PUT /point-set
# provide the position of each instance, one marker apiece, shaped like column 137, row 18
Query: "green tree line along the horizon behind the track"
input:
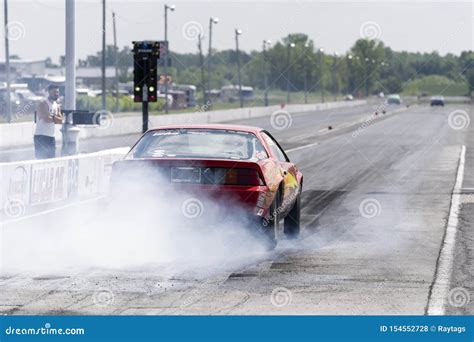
column 369, row 67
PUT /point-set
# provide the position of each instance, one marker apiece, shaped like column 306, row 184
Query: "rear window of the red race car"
column 199, row 143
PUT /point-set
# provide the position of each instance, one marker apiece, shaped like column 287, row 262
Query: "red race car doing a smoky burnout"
column 228, row 163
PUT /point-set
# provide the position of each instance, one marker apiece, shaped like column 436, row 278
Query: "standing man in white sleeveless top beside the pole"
column 48, row 114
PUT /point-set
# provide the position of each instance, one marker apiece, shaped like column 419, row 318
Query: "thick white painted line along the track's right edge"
column 441, row 285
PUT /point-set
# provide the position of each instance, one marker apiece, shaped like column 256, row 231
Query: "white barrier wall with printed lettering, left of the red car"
column 30, row 186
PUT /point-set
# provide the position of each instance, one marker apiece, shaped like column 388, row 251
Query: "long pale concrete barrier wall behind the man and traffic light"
column 21, row 134
